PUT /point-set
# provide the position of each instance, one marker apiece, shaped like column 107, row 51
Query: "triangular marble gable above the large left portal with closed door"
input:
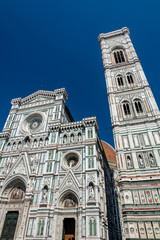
column 20, row 167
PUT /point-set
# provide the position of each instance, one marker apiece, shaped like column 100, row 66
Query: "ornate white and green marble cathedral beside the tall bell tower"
column 53, row 173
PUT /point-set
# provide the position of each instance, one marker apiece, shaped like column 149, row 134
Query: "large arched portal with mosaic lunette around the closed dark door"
column 13, row 201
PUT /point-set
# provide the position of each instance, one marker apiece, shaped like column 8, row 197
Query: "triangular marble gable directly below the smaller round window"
column 69, row 182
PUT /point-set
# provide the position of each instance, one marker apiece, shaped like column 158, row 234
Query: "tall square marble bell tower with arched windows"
column 136, row 128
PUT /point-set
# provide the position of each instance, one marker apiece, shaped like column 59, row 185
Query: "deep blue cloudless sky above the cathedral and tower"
column 52, row 44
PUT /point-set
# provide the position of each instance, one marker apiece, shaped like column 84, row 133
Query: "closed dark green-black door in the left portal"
column 9, row 226
